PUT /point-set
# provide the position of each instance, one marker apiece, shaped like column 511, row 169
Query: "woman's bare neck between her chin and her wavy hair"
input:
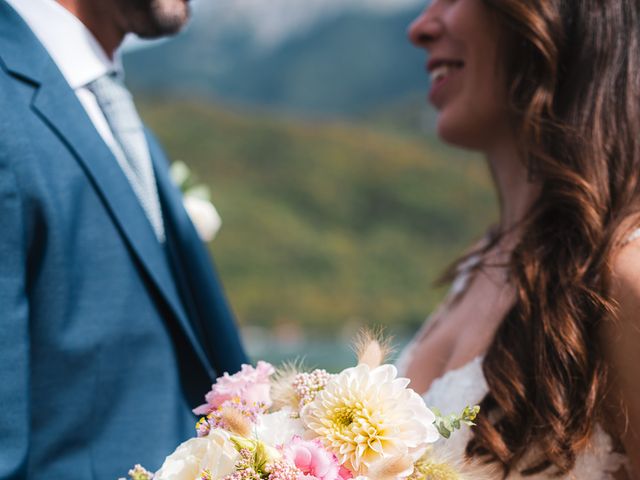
column 516, row 190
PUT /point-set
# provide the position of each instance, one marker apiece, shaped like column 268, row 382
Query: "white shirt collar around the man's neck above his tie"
column 69, row 42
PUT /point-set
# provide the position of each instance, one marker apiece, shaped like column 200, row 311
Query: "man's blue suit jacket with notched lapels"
column 107, row 338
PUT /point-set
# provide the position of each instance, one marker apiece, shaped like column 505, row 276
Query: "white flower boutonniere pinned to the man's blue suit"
column 197, row 202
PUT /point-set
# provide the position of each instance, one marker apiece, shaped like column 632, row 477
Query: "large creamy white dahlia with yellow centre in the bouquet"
column 367, row 416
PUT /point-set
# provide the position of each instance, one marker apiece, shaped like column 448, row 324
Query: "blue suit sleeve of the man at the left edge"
column 14, row 332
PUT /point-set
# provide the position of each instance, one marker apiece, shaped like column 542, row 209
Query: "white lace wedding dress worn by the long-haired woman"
column 466, row 385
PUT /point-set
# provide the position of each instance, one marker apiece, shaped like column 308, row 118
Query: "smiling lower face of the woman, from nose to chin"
column 463, row 39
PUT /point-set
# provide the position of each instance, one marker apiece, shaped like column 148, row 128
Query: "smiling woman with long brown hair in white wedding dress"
column 542, row 324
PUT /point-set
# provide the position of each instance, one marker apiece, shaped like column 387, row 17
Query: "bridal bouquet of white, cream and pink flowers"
column 289, row 424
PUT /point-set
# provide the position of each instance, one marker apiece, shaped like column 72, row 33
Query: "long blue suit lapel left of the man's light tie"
column 59, row 108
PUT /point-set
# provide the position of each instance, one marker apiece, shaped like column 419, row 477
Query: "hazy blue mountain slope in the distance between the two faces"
column 342, row 66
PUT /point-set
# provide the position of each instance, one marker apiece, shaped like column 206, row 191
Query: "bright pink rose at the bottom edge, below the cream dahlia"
column 310, row 457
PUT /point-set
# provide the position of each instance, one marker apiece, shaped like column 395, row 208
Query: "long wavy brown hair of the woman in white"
column 573, row 69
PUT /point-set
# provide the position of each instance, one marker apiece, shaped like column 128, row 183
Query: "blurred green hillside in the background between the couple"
column 328, row 224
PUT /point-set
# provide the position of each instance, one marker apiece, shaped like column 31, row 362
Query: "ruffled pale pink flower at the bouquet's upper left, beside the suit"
column 250, row 385
